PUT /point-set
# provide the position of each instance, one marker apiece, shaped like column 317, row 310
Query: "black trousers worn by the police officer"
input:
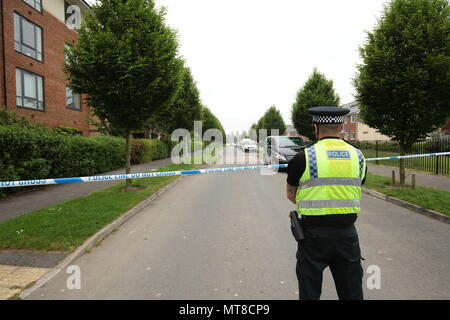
column 337, row 248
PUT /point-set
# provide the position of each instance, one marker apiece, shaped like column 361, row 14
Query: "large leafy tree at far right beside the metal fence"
column 403, row 83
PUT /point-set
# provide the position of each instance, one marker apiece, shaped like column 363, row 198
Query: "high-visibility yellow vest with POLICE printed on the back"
column 331, row 182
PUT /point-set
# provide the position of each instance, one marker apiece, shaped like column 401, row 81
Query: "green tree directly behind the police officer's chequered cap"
column 317, row 91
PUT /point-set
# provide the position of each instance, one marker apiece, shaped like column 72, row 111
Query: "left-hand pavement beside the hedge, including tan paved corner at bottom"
column 19, row 268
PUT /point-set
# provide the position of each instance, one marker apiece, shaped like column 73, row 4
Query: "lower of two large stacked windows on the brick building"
column 29, row 90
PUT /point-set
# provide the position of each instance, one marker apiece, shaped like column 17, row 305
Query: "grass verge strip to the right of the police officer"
column 426, row 197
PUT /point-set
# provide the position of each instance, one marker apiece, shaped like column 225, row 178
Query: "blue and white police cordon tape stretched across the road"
column 41, row 182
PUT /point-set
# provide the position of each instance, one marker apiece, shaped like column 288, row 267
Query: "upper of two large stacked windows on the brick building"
column 27, row 37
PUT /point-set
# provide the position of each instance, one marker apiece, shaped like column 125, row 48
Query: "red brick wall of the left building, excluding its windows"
column 55, row 34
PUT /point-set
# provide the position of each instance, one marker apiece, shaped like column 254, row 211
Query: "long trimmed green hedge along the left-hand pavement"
column 28, row 153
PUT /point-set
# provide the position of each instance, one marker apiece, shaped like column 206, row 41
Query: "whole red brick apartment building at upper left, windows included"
column 33, row 34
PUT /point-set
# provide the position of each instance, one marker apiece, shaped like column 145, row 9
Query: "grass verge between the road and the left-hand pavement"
column 65, row 226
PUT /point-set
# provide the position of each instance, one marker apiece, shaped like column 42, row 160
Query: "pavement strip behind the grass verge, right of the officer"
column 430, row 180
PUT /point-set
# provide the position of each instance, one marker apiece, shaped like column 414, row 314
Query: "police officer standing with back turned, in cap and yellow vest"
column 324, row 181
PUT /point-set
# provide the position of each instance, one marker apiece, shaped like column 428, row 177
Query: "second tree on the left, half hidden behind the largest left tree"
column 185, row 109
